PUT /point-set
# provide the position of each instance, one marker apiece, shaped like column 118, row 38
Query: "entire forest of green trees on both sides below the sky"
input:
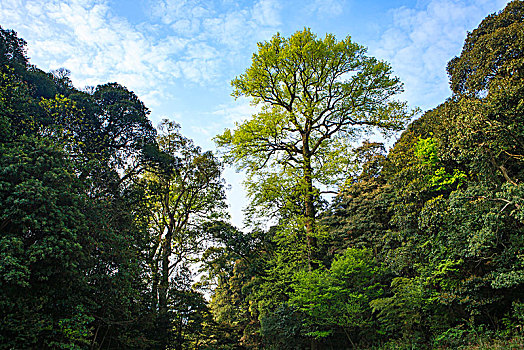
column 115, row 234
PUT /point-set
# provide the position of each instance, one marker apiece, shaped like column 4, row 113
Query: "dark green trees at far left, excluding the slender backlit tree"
column 70, row 266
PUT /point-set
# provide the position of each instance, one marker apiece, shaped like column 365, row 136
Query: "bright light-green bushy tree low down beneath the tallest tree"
column 338, row 298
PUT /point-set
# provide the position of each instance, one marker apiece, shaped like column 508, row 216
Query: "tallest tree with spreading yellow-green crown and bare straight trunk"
column 316, row 96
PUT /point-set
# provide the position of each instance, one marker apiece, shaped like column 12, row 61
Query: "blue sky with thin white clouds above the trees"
column 179, row 56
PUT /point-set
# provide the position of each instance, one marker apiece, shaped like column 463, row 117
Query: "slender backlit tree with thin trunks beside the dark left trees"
column 185, row 192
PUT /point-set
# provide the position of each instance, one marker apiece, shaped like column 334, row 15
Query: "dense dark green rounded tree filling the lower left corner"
column 43, row 227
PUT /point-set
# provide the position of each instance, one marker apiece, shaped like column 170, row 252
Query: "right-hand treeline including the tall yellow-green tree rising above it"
column 423, row 247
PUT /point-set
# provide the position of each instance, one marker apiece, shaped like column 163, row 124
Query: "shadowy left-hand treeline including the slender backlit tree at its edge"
column 101, row 215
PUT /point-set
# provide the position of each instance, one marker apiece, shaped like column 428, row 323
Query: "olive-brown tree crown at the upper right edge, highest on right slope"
column 487, row 79
